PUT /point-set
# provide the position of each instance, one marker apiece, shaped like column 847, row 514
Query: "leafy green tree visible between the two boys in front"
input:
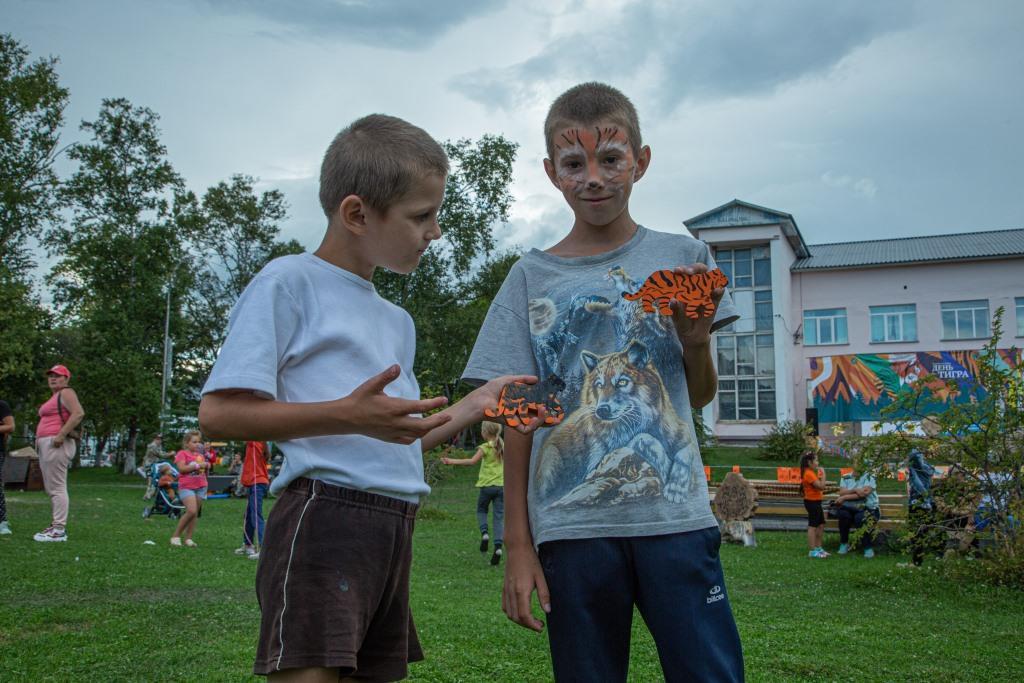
column 449, row 294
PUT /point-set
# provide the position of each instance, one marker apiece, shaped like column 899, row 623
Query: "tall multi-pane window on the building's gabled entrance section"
column 747, row 349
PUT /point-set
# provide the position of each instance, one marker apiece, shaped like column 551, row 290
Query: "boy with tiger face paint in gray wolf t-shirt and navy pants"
column 610, row 509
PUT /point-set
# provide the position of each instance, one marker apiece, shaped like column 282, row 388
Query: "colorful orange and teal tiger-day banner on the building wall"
column 859, row 387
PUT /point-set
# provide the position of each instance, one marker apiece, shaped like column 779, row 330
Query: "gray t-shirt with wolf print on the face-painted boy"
column 625, row 460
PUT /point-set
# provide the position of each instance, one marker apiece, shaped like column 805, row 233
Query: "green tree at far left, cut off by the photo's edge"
column 32, row 105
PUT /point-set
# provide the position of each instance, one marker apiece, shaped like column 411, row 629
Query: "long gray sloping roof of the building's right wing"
column 959, row 247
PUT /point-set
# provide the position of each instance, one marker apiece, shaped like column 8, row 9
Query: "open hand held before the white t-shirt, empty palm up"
column 390, row 419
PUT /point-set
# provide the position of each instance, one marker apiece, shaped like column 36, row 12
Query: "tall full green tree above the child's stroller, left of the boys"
column 116, row 259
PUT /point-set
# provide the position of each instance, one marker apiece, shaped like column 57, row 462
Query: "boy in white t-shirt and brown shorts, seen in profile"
column 319, row 363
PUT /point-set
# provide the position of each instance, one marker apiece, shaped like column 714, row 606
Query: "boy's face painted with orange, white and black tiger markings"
column 594, row 168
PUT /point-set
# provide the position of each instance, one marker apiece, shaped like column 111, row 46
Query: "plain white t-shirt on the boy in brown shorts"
column 307, row 331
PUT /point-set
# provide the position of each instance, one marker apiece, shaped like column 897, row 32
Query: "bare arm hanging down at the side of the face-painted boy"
column 523, row 572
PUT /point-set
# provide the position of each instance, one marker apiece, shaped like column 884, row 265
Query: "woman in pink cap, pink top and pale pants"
column 58, row 417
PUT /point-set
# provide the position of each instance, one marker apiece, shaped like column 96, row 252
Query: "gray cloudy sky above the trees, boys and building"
column 864, row 119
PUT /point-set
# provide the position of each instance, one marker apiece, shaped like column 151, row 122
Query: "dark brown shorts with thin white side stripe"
column 333, row 584
